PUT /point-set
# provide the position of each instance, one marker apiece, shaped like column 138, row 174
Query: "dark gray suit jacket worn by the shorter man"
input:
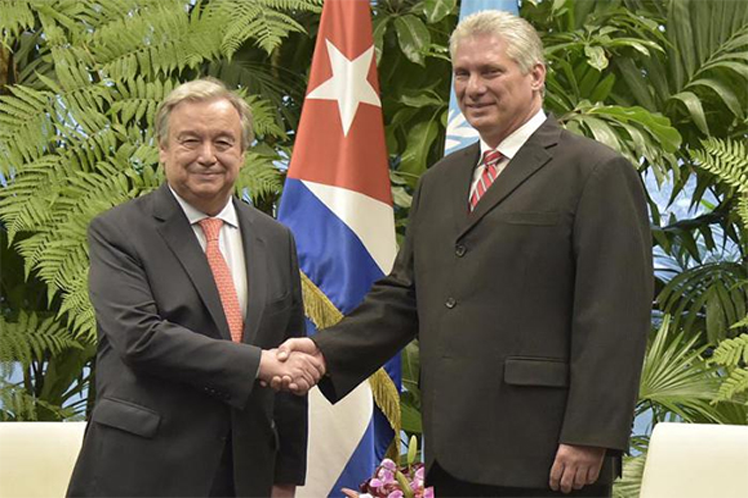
column 170, row 384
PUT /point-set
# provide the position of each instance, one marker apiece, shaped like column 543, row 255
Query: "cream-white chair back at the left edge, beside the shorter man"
column 37, row 458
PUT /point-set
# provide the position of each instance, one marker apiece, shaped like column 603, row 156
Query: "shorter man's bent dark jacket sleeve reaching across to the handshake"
column 128, row 321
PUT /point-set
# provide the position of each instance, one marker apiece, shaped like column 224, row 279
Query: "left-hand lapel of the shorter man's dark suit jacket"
column 180, row 237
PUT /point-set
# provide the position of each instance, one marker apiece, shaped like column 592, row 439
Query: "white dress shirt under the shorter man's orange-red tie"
column 229, row 242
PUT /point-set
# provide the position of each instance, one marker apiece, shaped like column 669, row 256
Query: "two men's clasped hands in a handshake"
column 296, row 366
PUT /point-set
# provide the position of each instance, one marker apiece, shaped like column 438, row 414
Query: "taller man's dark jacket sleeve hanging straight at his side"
column 612, row 304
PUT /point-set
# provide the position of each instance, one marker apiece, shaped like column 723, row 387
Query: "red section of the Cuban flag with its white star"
column 340, row 138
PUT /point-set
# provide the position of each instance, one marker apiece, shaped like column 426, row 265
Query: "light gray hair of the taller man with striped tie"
column 523, row 43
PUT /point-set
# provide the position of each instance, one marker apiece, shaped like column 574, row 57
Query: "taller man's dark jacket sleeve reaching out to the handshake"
column 385, row 322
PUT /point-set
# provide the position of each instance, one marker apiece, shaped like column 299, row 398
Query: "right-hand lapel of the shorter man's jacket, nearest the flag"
column 255, row 253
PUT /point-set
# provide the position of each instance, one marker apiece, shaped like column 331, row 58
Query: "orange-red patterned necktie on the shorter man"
column 222, row 275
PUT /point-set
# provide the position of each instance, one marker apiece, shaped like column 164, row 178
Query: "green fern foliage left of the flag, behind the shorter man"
column 82, row 80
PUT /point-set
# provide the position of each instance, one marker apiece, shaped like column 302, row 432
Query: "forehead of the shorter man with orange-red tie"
column 212, row 115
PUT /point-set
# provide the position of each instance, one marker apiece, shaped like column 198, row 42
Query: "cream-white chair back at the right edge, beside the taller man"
column 696, row 461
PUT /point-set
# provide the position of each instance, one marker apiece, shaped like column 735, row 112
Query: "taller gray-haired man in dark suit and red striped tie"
column 530, row 295
